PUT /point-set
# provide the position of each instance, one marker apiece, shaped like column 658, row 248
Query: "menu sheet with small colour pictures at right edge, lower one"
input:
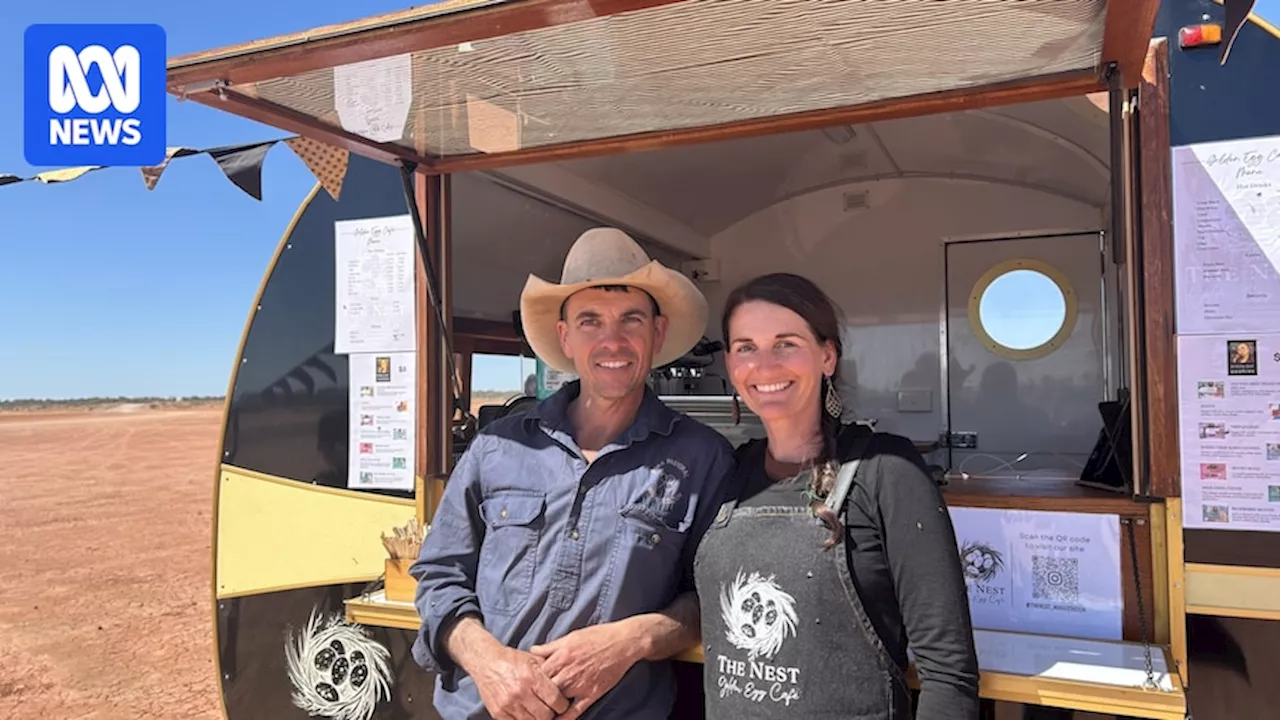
column 1229, row 413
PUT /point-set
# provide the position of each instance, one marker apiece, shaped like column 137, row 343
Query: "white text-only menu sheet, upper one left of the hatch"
column 374, row 274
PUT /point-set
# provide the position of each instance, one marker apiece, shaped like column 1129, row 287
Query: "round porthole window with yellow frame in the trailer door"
column 1023, row 309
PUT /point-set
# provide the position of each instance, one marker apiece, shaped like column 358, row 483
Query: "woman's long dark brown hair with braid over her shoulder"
column 806, row 299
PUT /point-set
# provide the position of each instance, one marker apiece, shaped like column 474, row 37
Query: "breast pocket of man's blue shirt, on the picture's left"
column 509, row 557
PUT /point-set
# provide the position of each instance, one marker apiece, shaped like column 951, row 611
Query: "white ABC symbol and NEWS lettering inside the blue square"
column 68, row 90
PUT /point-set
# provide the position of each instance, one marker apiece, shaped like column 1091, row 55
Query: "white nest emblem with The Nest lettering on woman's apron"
column 760, row 618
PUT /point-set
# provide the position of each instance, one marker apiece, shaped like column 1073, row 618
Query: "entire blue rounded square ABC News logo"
column 95, row 95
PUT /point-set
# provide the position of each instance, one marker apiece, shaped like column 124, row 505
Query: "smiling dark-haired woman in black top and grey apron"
column 808, row 609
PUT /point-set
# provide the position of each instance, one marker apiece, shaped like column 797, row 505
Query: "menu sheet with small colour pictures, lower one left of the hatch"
column 381, row 450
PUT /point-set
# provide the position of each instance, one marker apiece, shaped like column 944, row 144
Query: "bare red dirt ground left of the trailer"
column 106, row 564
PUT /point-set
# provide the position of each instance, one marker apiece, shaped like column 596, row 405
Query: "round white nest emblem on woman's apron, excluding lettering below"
column 758, row 616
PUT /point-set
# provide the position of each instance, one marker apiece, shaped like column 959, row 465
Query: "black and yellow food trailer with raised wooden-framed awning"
column 1052, row 227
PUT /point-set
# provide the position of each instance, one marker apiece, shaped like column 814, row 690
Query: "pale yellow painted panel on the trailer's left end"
column 281, row 535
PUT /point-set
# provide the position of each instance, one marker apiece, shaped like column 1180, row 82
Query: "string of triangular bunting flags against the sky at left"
column 243, row 165
